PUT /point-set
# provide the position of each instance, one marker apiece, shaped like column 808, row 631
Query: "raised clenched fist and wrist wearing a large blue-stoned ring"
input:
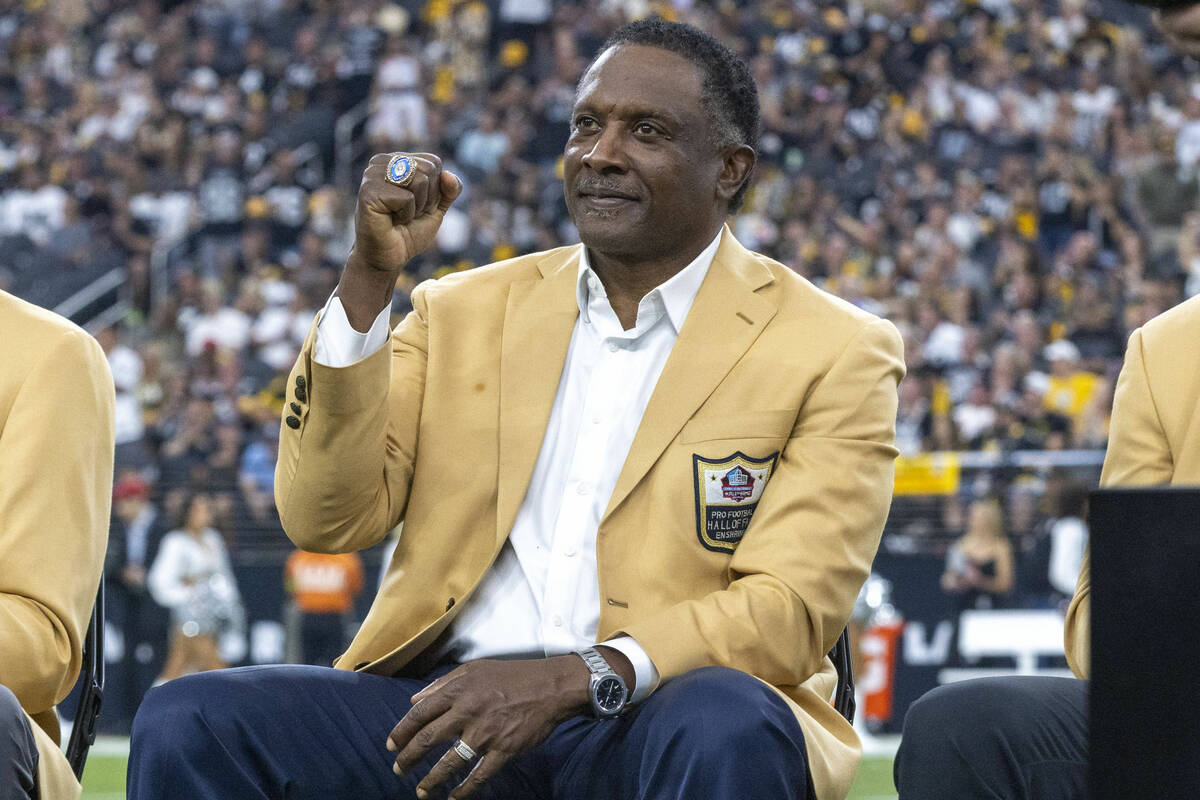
column 393, row 225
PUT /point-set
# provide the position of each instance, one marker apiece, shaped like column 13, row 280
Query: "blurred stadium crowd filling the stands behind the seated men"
column 1013, row 183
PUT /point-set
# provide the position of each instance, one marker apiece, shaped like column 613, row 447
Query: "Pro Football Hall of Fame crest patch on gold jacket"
column 728, row 494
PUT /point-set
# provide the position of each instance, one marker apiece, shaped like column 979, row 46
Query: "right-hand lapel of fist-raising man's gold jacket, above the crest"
column 724, row 322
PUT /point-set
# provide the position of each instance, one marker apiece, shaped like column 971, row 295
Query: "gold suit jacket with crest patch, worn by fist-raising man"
column 443, row 429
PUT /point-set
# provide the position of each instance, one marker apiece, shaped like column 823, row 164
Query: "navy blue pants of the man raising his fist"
column 310, row 732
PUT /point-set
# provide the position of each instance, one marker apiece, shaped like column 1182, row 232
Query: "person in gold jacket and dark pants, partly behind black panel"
column 1028, row 737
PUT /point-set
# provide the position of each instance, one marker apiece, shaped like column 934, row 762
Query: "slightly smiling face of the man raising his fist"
column 645, row 178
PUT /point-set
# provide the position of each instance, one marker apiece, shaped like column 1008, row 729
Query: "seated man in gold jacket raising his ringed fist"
column 641, row 480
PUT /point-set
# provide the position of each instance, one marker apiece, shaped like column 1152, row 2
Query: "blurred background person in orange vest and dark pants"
column 323, row 588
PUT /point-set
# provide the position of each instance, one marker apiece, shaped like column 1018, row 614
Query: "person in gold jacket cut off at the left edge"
column 57, row 431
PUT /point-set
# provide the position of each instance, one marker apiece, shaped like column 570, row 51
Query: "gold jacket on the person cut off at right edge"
column 1154, row 438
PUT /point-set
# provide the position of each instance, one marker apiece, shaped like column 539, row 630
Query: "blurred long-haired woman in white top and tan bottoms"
column 193, row 578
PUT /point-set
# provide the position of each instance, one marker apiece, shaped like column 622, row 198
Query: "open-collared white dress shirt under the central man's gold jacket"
column 542, row 596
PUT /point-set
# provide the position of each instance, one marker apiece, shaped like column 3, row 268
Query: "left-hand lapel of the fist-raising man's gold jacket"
column 539, row 321
